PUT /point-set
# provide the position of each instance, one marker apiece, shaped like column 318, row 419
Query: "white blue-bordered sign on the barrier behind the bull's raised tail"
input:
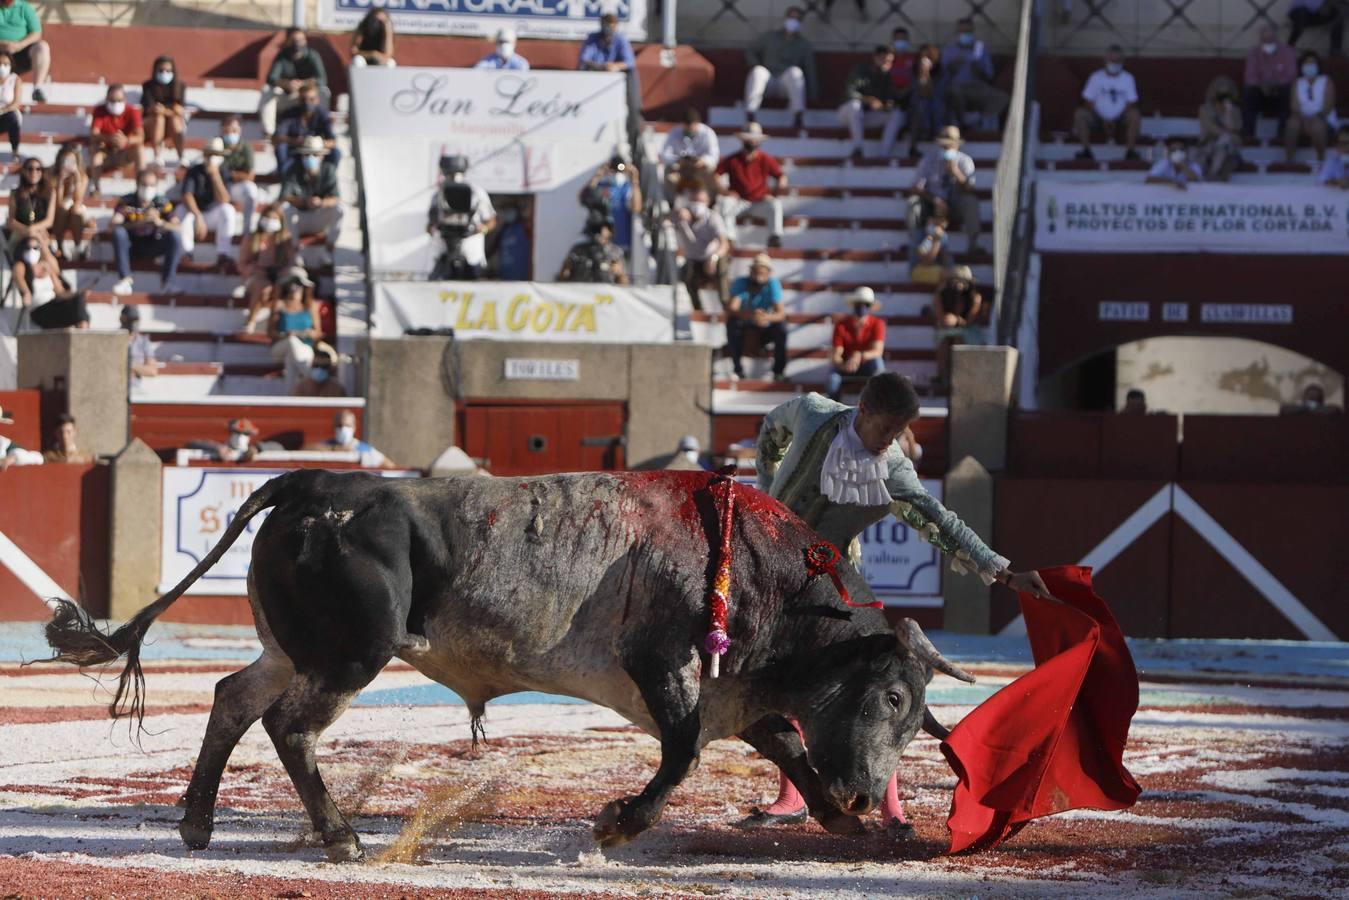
column 199, row 505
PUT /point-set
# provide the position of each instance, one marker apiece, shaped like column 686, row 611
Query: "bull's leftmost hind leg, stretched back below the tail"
column 241, row 700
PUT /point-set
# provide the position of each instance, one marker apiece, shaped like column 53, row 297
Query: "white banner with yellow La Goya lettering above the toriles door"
column 527, row 311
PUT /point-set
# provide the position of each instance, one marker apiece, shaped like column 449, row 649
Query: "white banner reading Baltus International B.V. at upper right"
column 1228, row 219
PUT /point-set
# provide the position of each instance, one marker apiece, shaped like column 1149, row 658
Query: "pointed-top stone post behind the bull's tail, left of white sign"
column 136, row 519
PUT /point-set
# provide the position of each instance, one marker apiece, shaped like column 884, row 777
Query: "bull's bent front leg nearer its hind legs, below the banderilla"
column 671, row 694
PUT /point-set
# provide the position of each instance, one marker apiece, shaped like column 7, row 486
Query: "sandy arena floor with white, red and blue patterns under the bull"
column 1243, row 752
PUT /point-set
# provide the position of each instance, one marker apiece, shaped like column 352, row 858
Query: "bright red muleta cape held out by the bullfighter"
column 1054, row 739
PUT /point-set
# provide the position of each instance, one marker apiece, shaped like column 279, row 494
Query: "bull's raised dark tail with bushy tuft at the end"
column 76, row 639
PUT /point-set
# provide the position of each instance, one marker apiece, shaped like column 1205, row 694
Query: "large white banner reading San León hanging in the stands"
column 524, row 133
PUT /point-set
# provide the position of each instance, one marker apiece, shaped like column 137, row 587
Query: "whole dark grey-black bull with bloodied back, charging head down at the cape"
column 592, row 586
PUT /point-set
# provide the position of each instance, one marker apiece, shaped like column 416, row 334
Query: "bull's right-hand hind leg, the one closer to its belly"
column 295, row 723
